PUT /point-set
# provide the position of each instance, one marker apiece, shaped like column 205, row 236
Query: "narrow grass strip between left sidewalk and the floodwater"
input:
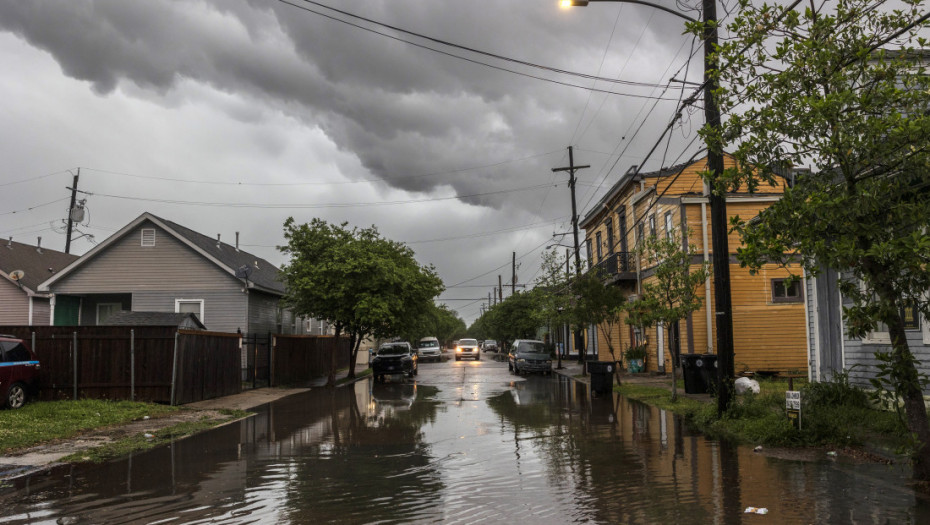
column 143, row 442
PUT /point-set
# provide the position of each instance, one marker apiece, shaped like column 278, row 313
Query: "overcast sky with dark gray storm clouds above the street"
column 231, row 115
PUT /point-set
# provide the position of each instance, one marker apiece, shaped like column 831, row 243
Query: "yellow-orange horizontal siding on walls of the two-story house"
column 768, row 336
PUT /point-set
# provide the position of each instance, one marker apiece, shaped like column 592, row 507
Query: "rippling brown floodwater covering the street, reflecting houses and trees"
column 465, row 443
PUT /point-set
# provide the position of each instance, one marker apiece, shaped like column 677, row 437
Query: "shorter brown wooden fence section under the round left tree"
column 297, row 359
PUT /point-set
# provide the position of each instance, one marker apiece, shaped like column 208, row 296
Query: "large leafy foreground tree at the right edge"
column 820, row 87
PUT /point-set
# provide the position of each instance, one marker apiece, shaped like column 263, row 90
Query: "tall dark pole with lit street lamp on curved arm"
column 718, row 203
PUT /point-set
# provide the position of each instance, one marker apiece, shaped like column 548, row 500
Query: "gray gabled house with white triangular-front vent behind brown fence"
column 155, row 265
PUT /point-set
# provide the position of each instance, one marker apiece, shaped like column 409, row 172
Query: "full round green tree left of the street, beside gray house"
column 364, row 284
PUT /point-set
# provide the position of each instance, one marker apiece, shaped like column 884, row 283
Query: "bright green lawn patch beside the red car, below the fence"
column 48, row 420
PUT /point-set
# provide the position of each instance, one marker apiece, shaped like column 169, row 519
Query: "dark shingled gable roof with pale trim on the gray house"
column 263, row 276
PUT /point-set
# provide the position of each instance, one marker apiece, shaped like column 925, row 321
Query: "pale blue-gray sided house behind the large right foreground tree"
column 831, row 350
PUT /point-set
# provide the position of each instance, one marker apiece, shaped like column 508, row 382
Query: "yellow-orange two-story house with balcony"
column 769, row 317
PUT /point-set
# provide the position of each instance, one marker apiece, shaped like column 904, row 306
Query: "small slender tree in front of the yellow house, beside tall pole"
column 671, row 295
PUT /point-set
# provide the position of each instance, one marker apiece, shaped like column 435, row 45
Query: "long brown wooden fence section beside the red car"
column 146, row 363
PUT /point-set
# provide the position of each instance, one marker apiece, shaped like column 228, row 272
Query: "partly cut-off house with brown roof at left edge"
column 22, row 268
